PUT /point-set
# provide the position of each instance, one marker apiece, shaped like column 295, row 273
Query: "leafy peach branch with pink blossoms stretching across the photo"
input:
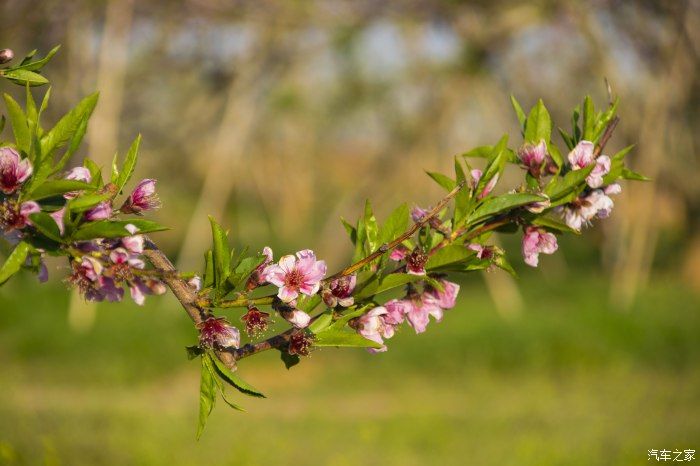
column 401, row 271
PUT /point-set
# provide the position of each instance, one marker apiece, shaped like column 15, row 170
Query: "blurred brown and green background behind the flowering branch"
column 278, row 117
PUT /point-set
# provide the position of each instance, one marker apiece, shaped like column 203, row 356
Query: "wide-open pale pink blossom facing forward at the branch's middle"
column 294, row 275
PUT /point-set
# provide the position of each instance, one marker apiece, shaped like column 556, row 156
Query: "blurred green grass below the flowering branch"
column 569, row 382
